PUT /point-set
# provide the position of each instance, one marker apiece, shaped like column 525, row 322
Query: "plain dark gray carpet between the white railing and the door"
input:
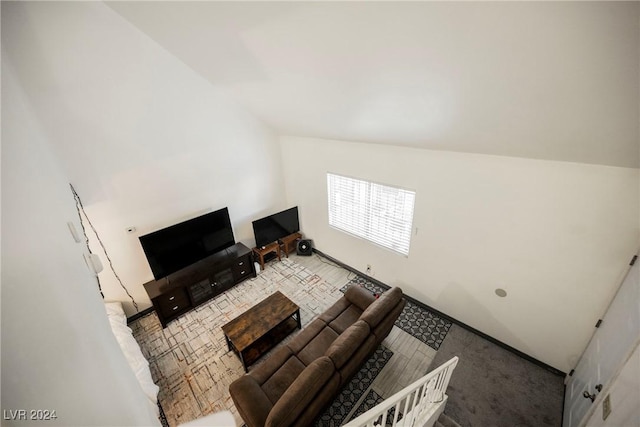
column 494, row 387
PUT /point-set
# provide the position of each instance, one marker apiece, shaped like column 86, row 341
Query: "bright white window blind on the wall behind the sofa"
column 375, row 212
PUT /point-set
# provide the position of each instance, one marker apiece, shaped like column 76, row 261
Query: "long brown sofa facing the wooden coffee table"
column 299, row 379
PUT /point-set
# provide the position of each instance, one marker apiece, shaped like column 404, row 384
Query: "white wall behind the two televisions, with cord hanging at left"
column 145, row 140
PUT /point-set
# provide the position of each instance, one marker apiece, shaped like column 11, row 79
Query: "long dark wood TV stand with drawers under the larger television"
column 185, row 289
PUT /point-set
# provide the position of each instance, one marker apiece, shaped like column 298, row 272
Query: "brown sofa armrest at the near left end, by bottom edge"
column 250, row 400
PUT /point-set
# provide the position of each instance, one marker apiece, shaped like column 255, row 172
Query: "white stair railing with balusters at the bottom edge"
column 418, row 404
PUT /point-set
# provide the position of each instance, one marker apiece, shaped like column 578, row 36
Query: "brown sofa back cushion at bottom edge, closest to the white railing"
column 301, row 393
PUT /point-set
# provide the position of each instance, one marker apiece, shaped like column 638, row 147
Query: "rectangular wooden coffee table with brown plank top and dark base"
column 260, row 328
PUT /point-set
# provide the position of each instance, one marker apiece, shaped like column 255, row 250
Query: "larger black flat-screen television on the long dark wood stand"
column 180, row 245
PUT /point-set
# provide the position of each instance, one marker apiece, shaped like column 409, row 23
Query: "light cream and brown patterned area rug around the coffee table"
column 189, row 359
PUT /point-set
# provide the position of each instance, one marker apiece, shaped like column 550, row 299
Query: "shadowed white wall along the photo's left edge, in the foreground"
column 58, row 352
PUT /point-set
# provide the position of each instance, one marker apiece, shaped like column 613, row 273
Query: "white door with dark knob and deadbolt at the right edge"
column 610, row 346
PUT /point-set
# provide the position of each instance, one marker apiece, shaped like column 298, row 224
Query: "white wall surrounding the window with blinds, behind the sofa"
column 555, row 235
